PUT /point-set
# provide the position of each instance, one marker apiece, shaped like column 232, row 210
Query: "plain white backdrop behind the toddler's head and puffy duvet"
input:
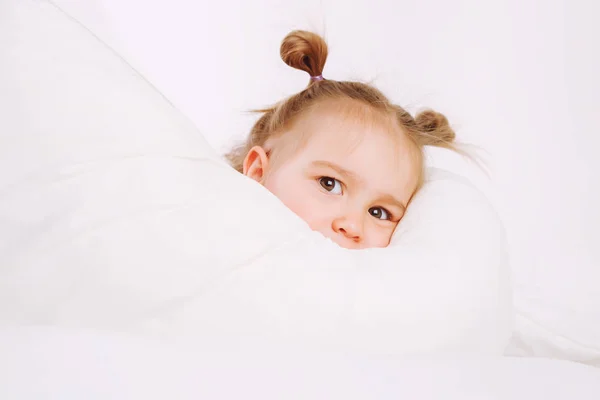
column 518, row 78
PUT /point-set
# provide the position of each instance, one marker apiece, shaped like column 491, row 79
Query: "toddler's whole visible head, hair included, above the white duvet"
column 340, row 154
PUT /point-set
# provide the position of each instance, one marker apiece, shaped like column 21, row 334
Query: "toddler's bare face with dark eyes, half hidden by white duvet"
column 350, row 181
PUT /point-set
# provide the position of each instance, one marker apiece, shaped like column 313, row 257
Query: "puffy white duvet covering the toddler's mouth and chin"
column 115, row 214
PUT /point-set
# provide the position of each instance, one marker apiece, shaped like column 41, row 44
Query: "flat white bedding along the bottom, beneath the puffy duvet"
column 42, row 363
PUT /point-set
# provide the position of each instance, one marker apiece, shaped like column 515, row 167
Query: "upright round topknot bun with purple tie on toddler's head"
column 305, row 51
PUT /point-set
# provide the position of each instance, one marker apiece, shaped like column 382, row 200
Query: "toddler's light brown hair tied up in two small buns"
column 307, row 51
